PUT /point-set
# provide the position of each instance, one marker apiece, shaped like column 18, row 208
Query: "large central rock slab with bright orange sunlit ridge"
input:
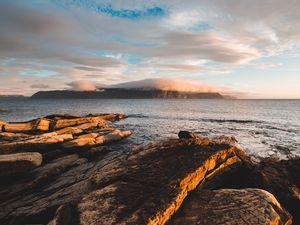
column 150, row 187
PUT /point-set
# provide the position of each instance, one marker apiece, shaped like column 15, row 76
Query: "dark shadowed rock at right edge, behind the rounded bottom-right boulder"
column 279, row 177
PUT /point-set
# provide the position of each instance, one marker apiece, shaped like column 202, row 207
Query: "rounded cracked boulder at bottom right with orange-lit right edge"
column 232, row 206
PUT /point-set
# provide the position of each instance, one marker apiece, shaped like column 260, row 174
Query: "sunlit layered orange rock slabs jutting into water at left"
column 59, row 131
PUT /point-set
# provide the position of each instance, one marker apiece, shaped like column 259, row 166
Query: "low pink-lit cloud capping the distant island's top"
column 168, row 84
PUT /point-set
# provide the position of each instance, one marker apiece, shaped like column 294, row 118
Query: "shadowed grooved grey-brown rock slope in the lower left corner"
column 34, row 198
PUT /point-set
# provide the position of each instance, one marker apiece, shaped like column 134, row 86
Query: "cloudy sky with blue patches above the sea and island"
column 246, row 48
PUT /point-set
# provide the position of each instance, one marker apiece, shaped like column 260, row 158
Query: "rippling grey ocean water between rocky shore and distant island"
column 262, row 127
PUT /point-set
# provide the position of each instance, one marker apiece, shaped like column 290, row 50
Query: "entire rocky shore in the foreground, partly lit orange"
column 66, row 169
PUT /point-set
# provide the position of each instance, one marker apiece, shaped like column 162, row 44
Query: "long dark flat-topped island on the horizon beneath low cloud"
column 121, row 93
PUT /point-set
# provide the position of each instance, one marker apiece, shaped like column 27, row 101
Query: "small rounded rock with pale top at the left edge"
column 19, row 162
